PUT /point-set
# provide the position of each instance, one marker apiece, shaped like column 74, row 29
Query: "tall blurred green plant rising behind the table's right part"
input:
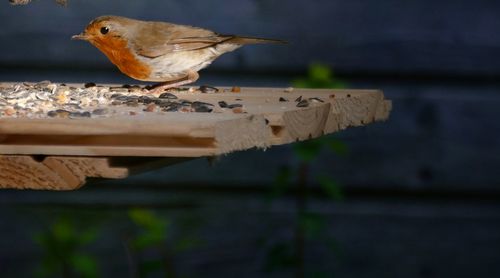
column 309, row 226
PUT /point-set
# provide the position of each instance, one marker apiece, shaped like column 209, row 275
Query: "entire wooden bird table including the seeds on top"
column 55, row 136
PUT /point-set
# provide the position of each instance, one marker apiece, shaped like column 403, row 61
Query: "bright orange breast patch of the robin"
column 117, row 51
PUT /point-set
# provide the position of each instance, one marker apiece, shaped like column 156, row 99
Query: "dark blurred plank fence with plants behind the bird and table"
column 416, row 196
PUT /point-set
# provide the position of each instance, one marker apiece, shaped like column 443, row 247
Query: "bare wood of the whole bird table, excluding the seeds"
column 54, row 153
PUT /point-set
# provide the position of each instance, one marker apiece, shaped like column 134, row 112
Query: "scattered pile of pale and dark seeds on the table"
column 46, row 99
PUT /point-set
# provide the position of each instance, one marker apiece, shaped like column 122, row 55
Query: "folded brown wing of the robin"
column 159, row 38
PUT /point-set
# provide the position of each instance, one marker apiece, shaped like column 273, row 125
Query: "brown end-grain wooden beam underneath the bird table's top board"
column 69, row 173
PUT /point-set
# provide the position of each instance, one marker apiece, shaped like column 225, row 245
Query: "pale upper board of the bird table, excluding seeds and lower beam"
column 267, row 121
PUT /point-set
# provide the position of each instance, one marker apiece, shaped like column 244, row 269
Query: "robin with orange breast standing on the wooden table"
column 167, row 53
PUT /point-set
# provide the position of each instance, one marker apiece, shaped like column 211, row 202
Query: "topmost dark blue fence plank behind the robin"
column 371, row 36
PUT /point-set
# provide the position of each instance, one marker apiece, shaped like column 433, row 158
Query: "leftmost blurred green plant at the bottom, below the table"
column 63, row 246
